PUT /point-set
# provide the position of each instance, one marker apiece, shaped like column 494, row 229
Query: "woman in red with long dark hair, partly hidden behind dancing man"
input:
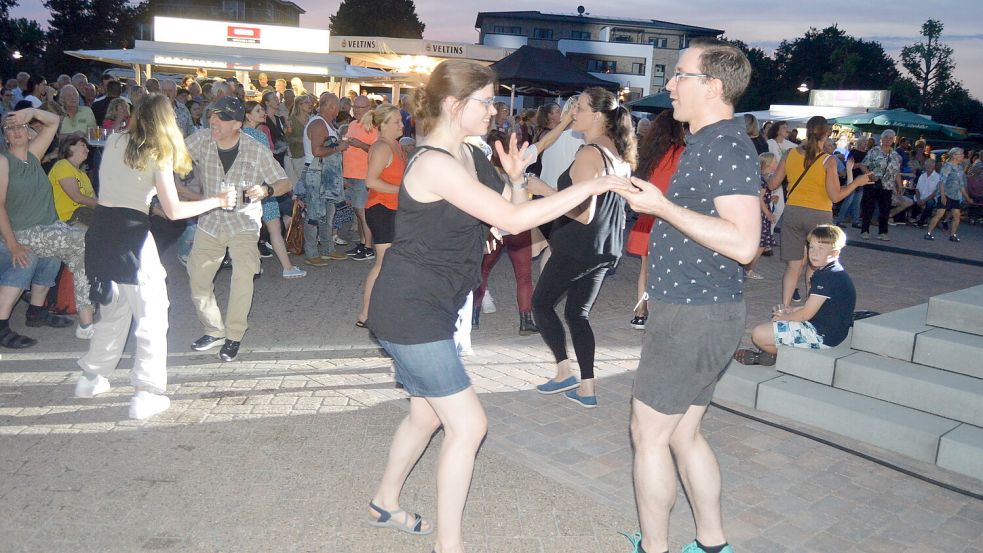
column 658, row 156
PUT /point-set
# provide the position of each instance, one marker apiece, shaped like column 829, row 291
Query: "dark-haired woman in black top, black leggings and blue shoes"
column 586, row 242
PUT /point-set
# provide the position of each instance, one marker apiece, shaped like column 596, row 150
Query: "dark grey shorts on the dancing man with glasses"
column 685, row 351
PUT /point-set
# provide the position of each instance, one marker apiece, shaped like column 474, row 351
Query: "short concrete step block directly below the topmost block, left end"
column 891, row 334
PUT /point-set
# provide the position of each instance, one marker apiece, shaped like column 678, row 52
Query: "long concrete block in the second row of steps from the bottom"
column 951, row 395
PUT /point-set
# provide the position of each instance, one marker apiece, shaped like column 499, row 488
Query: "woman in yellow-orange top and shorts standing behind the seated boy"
column 809, row 200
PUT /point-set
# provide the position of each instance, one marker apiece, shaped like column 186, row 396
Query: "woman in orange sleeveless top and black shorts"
column 385, row 173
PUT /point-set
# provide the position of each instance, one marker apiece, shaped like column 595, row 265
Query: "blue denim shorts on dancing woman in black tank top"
column 432, row 369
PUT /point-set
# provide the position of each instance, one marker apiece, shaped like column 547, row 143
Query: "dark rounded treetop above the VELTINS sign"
column 392, row 18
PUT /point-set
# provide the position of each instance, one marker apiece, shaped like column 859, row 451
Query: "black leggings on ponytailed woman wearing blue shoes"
column 581, row 284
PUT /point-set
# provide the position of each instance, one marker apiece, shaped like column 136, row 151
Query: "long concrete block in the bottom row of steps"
column 882, row 424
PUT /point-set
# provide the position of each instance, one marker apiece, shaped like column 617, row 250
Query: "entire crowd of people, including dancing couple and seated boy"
column 435, row 186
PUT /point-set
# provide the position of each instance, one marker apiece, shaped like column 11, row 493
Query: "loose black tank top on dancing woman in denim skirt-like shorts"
column 434, row 261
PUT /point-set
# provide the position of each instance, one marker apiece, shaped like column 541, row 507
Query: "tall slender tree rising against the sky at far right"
column 930, row 64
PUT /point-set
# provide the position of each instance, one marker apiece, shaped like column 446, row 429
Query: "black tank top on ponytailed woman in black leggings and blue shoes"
column 600, row 241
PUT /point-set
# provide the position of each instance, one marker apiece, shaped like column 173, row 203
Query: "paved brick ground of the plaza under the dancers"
column 281, row 450
